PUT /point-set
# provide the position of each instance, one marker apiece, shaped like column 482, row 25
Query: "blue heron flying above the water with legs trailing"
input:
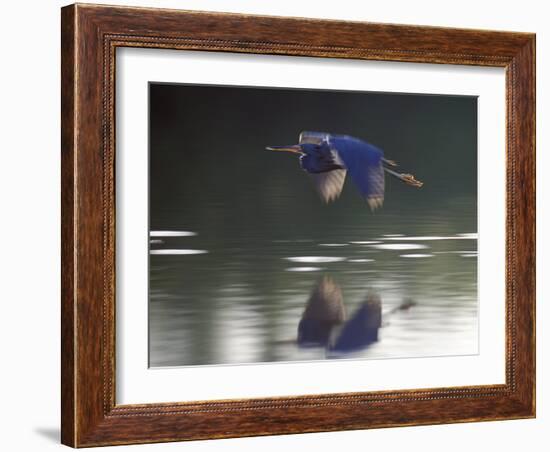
column 329, row 157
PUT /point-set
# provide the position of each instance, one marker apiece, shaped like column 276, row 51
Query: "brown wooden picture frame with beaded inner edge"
column 90, row 36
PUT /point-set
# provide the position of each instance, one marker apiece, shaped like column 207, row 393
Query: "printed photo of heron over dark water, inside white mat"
column 302, row 225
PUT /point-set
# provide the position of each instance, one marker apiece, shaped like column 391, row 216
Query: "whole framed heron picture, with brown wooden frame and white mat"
column 281, row 225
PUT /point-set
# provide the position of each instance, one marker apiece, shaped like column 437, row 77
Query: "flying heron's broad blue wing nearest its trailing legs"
column 364, row 163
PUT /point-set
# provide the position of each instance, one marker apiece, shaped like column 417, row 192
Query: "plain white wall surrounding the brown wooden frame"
column 29, row 258
